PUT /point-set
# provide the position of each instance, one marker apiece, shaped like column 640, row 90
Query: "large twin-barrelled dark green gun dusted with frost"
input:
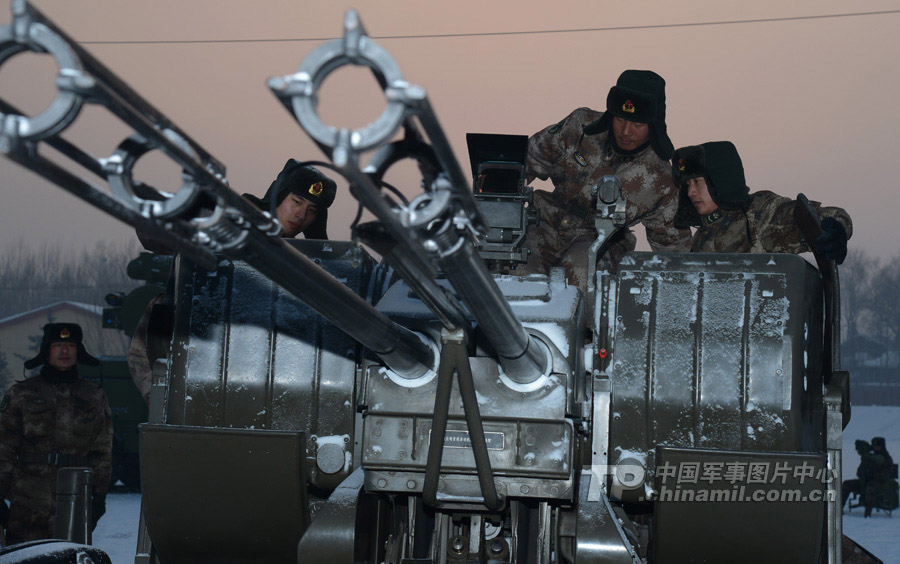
column 497, row 420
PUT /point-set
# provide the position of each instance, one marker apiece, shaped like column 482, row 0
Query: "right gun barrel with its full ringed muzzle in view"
column 434, row 223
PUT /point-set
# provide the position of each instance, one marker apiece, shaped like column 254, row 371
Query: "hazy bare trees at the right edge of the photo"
column 870, row 297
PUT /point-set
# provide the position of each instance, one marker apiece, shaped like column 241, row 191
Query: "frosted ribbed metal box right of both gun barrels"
column 715, row 351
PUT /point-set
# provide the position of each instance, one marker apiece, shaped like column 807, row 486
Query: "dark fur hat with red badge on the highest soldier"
column 638, row 96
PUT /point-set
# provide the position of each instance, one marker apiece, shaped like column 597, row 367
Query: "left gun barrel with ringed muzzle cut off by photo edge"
column 202, row 218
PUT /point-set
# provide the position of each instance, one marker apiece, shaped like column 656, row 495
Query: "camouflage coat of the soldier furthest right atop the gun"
column 767, row 226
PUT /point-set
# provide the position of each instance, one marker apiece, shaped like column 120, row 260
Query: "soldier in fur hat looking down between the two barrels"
column 300, row 197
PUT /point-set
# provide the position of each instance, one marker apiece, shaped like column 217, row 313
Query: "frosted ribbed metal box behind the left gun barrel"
column 246, row 354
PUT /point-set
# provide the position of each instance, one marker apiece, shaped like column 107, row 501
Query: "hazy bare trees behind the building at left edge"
column 32, row 276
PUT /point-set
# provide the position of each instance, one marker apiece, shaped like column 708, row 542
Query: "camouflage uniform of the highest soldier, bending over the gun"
column 574, row 162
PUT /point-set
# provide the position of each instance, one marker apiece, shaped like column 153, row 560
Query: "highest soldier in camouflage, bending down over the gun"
column 628, row 141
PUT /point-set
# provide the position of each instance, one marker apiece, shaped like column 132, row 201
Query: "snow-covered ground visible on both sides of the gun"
column 117, row 531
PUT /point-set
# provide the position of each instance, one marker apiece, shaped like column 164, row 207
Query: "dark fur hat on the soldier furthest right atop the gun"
column 719, row 163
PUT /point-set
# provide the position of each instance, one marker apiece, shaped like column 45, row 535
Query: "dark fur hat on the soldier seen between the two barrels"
column 309, row 184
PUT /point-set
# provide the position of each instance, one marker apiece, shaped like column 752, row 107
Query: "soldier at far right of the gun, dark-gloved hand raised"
column 714, row 197
